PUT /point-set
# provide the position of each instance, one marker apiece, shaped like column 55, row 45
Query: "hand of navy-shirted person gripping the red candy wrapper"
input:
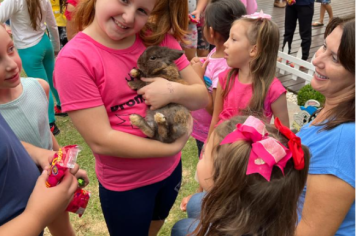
column 46, row 203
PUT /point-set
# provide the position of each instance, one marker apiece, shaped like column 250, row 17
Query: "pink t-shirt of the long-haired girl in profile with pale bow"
column 240, row 95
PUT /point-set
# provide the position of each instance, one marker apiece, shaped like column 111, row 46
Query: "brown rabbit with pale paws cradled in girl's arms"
column 170, row 122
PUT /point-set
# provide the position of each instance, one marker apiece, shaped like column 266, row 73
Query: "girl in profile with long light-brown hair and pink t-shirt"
column 250, row 86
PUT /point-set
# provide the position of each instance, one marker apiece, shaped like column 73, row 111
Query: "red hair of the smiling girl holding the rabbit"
column 166, row 16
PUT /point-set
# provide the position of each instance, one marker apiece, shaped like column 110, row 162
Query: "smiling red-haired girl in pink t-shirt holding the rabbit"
column 139, row 178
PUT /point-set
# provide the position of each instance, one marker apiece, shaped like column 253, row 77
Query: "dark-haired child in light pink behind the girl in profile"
column 219, row 15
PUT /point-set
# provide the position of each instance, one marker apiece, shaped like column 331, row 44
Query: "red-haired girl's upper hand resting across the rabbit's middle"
column 158, row 93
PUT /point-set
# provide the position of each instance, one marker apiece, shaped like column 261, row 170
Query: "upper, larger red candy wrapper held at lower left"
column 64, row 159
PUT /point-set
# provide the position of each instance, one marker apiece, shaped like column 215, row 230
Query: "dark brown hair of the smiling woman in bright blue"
column 345, row 111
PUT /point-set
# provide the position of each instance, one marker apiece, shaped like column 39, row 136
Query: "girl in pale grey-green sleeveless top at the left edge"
column 24, row 106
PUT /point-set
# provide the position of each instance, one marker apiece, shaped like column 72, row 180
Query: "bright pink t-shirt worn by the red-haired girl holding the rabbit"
column 88, row 74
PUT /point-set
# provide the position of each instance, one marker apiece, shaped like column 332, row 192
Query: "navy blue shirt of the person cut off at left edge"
column 18, row 174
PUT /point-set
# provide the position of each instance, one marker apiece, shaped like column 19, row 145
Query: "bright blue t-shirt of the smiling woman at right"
column 332, row 153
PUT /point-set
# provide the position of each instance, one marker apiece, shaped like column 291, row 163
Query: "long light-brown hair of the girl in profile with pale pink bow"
column 265, row 35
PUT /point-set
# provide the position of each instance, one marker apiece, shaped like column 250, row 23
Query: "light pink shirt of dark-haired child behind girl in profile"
column 202, row 118
